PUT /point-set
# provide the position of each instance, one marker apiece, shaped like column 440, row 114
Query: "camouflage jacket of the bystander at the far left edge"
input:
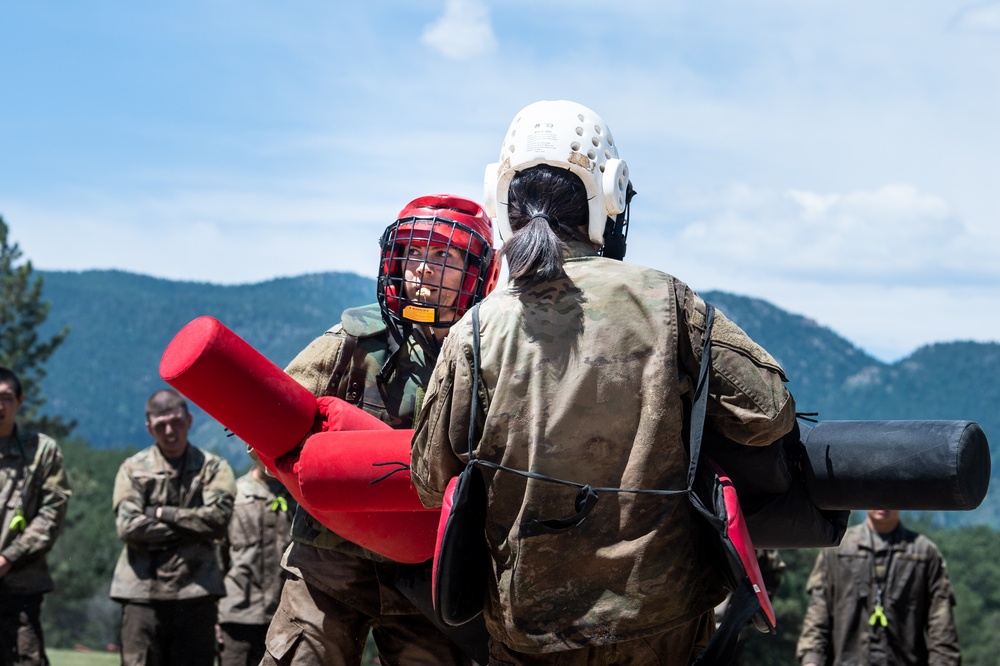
column 33, row 484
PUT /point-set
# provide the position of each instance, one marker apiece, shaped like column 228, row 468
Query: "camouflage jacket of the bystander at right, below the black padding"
column 917, row 601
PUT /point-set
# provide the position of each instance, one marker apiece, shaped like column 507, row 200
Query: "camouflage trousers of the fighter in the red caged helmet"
column 315, row 627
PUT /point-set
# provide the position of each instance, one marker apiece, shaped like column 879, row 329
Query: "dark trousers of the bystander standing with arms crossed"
column 169, row 633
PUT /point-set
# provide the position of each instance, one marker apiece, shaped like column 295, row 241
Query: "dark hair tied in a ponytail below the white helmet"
column 547, row 207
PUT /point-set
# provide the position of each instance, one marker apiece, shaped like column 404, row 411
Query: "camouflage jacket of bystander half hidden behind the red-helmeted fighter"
column 259, row 532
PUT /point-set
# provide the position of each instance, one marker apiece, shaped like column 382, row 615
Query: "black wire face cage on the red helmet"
column 447, row 276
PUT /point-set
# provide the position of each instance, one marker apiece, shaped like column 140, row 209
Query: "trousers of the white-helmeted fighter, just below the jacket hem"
column 676, row 647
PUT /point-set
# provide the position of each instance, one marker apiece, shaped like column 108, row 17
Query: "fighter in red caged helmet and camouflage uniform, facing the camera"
column 437, row 260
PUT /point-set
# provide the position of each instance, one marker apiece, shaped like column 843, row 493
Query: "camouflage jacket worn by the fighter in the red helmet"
column 345, row 362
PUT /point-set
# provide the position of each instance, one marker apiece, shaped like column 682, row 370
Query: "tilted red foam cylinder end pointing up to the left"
column 238, row 387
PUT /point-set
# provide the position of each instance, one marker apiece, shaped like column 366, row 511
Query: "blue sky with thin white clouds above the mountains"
column 840, row 159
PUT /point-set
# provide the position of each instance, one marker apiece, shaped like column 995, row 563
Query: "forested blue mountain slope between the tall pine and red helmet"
column 121, row 323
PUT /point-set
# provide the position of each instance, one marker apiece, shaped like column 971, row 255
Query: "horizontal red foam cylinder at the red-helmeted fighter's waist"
column 340, row 471
